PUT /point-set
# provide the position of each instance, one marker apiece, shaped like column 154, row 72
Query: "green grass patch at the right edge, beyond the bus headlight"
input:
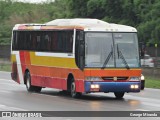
column 152, row 82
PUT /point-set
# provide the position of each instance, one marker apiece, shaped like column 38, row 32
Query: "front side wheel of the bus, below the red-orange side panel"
column 74, row 94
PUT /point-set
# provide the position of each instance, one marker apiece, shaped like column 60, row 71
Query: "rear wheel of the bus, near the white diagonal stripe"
column 29, row 87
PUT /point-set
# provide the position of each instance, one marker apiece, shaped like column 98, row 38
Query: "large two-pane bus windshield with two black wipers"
column 111, row 50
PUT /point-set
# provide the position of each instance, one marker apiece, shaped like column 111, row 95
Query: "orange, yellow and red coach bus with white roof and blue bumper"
column 76, row 55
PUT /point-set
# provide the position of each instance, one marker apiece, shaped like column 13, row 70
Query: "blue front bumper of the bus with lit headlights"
column 112, row 86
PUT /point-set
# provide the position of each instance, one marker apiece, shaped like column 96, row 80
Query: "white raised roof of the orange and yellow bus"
column 77, row 23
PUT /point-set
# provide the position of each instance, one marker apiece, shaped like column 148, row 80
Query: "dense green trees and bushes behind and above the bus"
column 142, row 14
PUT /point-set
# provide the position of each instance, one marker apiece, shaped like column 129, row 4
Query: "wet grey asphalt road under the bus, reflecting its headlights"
column 14, row 97
